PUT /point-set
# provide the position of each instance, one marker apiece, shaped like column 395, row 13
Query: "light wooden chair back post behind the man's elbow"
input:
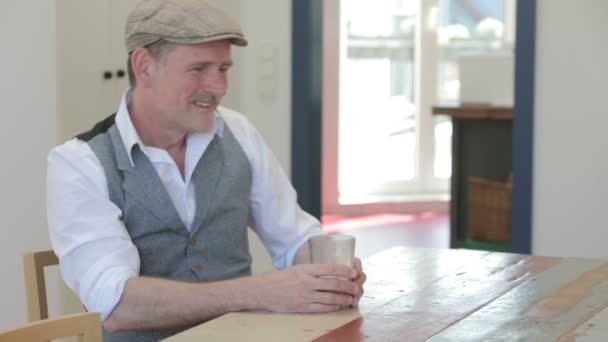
column 33, row 267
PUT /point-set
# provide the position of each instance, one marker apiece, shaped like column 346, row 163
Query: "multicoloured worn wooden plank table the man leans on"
column 415, row 294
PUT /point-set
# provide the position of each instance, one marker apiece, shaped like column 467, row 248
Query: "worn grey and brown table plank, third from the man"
column 548, row 306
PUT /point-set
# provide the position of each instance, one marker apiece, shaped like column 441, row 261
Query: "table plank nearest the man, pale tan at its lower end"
column 391, row 274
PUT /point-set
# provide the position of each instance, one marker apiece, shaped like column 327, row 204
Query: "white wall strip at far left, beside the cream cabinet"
column 27, row 94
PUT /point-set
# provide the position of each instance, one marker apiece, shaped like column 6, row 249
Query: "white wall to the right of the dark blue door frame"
column 570, row 216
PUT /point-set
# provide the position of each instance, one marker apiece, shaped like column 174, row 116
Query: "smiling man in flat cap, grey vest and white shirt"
column 148, row 211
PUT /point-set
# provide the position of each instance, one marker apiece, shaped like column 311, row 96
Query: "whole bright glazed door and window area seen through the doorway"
column 395, row 60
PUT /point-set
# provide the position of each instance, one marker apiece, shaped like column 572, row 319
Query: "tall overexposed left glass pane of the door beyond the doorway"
column 378, row 128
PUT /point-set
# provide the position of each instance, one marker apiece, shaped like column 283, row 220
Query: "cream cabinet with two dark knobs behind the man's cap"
column 90, row 55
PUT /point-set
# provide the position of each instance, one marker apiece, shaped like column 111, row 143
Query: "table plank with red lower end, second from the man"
column 428, row 310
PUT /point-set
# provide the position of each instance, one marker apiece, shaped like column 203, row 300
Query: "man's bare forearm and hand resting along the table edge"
column 153, row 303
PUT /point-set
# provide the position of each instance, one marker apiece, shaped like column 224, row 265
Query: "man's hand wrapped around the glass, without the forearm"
column 312, row 288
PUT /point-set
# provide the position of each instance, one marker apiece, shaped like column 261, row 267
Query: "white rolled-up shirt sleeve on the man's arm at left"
column 95, row 251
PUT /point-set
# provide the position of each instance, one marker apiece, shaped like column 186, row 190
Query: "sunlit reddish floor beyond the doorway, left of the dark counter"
column 377, row 232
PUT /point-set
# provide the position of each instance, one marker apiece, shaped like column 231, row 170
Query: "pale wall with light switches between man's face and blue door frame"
column 260, row 82
